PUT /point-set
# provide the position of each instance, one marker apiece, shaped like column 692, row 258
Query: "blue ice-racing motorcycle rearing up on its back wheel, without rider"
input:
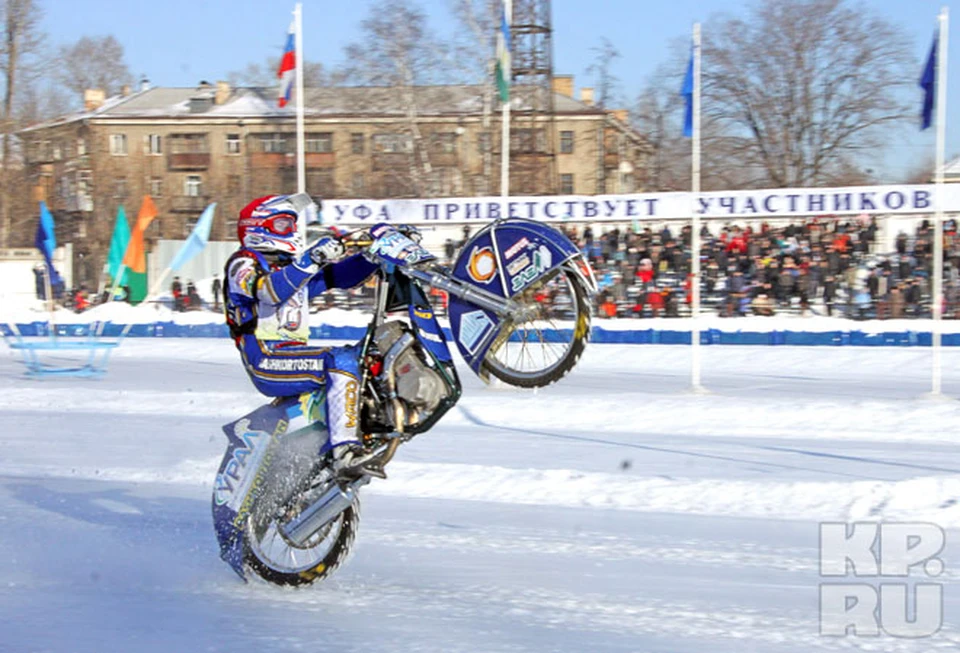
column 519, row 311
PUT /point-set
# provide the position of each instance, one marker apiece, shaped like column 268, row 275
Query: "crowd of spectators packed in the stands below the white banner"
column 819, row 266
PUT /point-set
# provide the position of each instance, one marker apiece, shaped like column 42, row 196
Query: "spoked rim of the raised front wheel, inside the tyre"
column 537, row 346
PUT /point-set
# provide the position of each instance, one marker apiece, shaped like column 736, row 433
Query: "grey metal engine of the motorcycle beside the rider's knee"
column 408, row 371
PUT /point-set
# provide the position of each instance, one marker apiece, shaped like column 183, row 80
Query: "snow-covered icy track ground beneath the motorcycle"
column 614, row 511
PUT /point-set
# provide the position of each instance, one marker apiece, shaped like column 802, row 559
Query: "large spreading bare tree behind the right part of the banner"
column 801, row 87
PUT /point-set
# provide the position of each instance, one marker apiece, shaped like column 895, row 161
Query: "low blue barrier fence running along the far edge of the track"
column 598, row 335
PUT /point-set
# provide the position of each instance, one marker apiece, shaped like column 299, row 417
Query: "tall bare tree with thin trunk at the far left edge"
column 21, row 42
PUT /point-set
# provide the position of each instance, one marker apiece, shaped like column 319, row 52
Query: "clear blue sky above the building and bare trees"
column 180, row 42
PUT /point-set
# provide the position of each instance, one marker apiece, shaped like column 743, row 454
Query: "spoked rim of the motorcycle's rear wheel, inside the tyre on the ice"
column 270, row 546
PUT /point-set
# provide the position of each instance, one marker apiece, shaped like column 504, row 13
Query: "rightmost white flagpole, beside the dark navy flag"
column 941, row 99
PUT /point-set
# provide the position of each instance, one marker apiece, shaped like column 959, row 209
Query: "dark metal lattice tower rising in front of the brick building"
column 532, row 156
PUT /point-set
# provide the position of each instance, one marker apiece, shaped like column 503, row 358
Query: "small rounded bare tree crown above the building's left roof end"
column 93, row 62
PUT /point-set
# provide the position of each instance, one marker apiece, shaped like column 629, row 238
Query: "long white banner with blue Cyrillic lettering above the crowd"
column 730, row 205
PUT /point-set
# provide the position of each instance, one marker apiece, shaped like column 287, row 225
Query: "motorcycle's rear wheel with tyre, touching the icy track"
column 281, row 562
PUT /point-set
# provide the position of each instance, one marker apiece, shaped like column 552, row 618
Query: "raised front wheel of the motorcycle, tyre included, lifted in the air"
column 536, row 352
